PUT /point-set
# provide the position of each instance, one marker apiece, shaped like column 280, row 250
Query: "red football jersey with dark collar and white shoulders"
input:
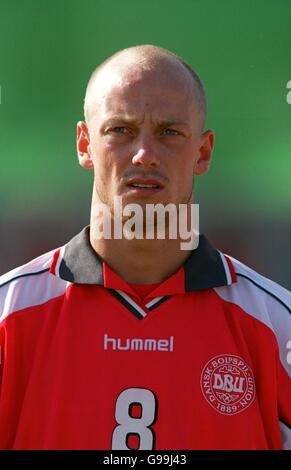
column 201, row 362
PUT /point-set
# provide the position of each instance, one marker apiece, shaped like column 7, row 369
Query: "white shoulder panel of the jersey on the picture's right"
column 264, row 300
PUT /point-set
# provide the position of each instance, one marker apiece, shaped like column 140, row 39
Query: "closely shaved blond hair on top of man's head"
column 148, row 57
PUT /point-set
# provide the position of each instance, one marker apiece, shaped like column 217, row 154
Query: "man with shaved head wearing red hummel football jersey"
column 120, row 342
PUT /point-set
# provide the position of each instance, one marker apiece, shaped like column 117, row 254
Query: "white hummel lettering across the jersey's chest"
column 139, row 344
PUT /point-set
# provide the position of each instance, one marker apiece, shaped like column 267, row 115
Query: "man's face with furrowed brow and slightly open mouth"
column 144, row 137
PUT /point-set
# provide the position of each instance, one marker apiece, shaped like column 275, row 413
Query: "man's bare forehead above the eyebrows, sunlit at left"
column 165, row 92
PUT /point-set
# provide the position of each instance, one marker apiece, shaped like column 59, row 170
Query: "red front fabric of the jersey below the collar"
column 65, row 379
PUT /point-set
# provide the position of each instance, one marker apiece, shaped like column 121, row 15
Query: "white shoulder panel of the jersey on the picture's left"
column 29, row 285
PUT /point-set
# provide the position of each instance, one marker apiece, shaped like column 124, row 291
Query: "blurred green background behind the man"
column 242, row 52
